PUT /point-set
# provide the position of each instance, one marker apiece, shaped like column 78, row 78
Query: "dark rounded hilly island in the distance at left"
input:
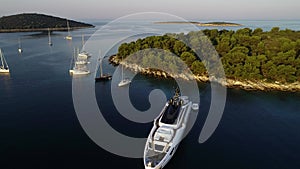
column 33, row 22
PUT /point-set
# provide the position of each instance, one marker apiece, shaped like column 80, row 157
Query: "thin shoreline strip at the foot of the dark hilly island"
column 42, row 29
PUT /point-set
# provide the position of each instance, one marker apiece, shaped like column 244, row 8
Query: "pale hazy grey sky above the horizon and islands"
column 188, row 9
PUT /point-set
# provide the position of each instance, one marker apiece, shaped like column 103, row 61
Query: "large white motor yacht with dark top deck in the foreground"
column 167, row 132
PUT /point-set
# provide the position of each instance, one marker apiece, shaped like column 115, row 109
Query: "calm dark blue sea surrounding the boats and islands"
column 39, row 127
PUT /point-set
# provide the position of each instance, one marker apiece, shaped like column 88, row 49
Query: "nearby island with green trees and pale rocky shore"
column 252, row 59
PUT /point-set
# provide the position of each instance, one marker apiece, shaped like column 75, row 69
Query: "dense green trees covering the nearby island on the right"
column 246, row 54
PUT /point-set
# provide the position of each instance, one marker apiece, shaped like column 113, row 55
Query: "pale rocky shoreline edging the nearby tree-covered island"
column 230, row 83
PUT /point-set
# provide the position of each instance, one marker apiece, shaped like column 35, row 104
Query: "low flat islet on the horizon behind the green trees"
column 201, row 24
